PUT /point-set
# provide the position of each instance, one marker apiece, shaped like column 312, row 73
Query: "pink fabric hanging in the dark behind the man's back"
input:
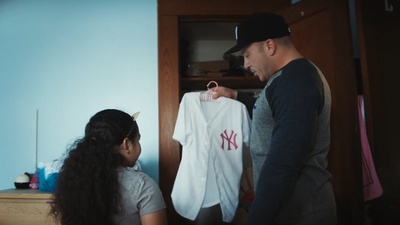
column 372, row 186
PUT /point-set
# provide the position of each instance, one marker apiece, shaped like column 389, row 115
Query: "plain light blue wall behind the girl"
column 70, row 59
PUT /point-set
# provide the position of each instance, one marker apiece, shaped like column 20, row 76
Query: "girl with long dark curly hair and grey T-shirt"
column 95, row 185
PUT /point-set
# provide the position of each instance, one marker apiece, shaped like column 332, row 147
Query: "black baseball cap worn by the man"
column 259, row 27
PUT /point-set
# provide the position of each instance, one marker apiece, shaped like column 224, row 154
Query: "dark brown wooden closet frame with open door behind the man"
column 321, row 31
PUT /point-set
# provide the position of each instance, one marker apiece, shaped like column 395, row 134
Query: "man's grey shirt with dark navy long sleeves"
column 290, row 138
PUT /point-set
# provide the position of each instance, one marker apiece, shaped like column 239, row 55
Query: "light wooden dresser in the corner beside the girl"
column 25, row 207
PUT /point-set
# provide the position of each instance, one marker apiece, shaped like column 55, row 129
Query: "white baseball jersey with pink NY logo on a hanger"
column 212, row 134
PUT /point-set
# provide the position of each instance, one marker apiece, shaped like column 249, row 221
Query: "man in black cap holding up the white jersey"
column 290, row 131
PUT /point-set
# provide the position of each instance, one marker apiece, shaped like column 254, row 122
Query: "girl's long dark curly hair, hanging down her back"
column 88, row 190
